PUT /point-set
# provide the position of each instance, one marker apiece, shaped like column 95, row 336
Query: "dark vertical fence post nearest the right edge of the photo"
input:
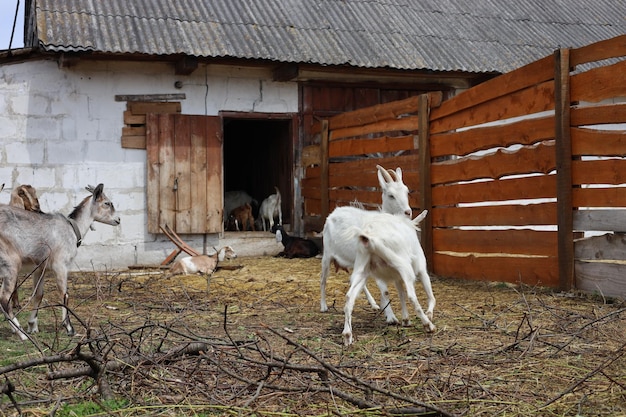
column 564, row 169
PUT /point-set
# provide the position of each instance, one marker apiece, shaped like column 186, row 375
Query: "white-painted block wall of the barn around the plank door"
column 60, row 129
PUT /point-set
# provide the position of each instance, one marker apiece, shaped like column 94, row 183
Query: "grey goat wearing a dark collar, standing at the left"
column 47, row 238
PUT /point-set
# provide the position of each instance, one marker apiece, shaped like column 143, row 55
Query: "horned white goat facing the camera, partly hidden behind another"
column 340, row 249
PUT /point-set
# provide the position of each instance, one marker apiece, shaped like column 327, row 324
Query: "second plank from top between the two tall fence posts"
column 534, row 99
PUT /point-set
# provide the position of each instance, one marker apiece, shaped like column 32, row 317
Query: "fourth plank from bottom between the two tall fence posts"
column 526, row 188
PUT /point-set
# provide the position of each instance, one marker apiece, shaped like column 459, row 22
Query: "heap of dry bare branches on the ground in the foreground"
column 174, row 366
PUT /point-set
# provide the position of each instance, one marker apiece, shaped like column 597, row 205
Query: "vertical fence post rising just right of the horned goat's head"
column 424, row 177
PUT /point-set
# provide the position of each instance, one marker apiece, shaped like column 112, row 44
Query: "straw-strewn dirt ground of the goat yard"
column 252, row 341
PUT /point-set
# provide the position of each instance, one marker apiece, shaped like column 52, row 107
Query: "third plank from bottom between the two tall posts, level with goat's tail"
column 500, row 215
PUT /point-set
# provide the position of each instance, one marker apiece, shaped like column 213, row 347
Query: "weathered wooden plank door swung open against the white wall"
column 184, row 173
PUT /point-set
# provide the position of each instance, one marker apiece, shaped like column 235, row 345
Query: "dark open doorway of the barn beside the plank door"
column 257, row 157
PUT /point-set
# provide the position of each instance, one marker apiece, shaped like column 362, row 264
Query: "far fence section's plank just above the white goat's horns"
column 383, row 144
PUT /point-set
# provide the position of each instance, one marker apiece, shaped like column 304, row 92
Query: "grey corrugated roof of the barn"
column 438, row 35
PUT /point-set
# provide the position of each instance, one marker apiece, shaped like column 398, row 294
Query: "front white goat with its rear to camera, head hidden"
column 389, row 250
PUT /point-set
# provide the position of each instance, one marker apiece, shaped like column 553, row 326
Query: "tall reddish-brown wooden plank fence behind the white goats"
column 513, row 171
